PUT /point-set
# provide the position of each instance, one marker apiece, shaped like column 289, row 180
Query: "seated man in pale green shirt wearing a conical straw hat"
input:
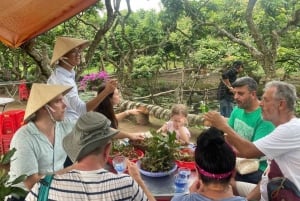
column 38, row 143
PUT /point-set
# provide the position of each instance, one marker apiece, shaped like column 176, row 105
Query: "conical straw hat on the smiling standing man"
column 63, row 45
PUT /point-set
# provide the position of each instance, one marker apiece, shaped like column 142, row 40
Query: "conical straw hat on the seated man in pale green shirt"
column 40, row 95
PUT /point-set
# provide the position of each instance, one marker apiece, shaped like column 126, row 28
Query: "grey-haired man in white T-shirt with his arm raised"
column 281, row 146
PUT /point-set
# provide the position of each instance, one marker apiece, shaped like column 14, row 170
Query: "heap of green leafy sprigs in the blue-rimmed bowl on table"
column 161, row 152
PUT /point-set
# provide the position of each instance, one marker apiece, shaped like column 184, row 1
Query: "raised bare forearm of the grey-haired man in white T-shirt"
column 245, row 148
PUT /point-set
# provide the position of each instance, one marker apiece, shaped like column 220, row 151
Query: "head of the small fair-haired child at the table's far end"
column 179, row 115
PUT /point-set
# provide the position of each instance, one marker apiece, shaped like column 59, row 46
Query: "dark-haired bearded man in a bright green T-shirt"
column 246, row 119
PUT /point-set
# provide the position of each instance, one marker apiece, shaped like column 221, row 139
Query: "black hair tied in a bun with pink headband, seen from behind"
column 215, row 159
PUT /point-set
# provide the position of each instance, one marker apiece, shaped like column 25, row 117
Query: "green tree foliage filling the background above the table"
column 180, row 34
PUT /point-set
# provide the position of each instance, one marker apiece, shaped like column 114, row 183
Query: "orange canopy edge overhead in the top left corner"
column 23, row 20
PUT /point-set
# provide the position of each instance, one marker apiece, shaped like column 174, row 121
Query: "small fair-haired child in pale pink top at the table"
column 177, row 123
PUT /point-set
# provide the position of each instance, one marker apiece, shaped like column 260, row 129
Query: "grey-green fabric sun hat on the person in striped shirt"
column 92, row 130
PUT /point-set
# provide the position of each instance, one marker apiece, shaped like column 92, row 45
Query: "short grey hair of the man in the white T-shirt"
column 284, row 91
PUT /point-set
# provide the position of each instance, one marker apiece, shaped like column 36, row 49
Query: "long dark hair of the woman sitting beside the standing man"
column 106, row 108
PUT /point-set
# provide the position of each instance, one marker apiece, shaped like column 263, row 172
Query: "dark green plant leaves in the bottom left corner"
column 7, row 187
